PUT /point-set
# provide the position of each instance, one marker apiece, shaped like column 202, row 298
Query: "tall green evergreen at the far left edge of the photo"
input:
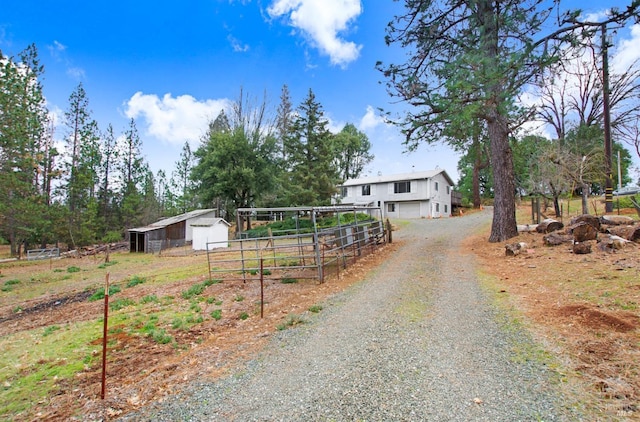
column 22, row 134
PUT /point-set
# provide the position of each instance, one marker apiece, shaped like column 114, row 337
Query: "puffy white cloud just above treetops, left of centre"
column 174, row 119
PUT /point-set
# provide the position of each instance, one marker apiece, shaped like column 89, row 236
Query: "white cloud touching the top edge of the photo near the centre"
column 322, row 21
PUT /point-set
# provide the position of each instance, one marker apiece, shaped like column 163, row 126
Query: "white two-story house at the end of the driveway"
column 425, row 194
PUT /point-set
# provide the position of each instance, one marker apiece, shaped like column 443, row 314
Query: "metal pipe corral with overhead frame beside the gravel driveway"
column 300, row 242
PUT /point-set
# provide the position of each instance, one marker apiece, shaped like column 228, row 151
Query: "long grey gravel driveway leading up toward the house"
column 416, row 341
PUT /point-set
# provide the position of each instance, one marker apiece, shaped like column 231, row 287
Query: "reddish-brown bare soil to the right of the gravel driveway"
column 586, row 308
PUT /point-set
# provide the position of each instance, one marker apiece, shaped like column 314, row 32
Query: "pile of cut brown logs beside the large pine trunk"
column 609, row 232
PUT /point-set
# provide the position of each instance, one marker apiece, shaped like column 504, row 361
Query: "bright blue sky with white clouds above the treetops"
column 174, row 65
